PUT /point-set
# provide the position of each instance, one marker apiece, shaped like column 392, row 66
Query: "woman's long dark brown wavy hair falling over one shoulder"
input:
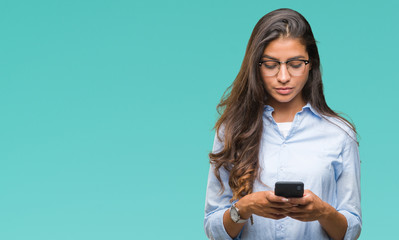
column 242, row 105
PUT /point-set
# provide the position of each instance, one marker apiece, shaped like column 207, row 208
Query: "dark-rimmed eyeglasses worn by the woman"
column 294, row 67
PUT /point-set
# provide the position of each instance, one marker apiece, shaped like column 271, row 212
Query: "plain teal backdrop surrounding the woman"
column 107, row 109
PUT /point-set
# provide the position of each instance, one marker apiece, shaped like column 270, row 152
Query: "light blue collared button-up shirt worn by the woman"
column 320, row 151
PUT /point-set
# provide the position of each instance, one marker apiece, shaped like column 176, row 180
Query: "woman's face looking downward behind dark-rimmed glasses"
column 283, row 87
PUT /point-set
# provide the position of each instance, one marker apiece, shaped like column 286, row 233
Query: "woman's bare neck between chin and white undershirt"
column 285, row 112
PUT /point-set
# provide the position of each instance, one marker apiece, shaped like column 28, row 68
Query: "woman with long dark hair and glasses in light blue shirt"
column 276, row 126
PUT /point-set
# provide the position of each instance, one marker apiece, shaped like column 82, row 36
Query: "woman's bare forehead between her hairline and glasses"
column 284, row 48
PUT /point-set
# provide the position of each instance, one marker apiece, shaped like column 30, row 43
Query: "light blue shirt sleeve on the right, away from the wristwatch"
column 348, row 189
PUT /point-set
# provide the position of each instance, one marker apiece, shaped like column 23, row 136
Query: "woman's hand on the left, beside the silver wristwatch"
column 264, row 204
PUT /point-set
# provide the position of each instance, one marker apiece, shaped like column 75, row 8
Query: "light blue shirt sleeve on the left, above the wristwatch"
column 217, row 202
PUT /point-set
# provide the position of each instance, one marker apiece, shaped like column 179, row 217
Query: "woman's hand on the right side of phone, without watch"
column 308, row 208
